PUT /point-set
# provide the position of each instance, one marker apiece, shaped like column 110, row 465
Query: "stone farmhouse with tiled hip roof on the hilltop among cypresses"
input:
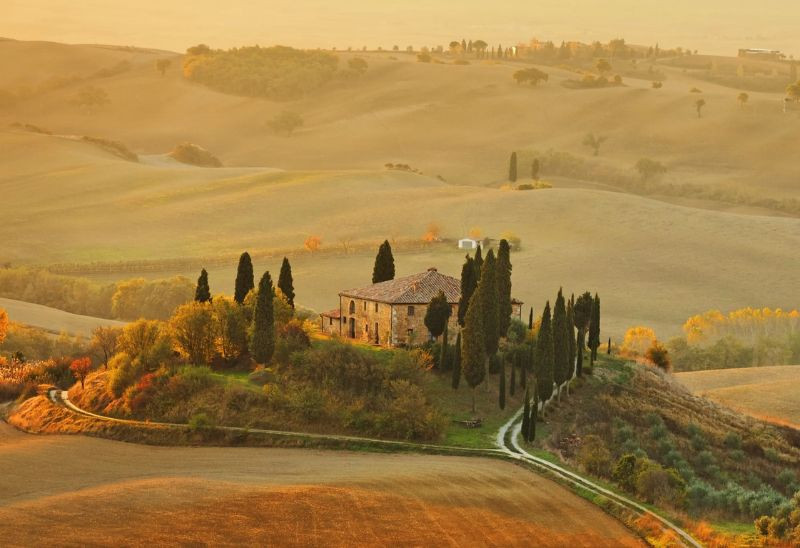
column 392, row 313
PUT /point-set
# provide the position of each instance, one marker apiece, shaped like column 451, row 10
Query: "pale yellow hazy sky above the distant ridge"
column 713, row 26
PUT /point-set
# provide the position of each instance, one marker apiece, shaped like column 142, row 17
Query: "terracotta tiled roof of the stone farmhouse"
column 416, row 289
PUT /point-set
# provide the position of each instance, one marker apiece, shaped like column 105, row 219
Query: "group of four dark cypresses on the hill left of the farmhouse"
column 262, row 340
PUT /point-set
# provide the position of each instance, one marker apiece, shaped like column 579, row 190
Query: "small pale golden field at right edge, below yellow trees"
column 770, row 393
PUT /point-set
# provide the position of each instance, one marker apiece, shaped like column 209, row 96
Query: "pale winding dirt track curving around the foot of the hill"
column 507, row 441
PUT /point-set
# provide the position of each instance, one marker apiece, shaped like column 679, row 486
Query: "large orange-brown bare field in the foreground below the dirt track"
column 73, row 490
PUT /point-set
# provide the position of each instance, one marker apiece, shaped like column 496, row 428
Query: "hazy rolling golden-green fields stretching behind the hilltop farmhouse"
column 656, row 262
